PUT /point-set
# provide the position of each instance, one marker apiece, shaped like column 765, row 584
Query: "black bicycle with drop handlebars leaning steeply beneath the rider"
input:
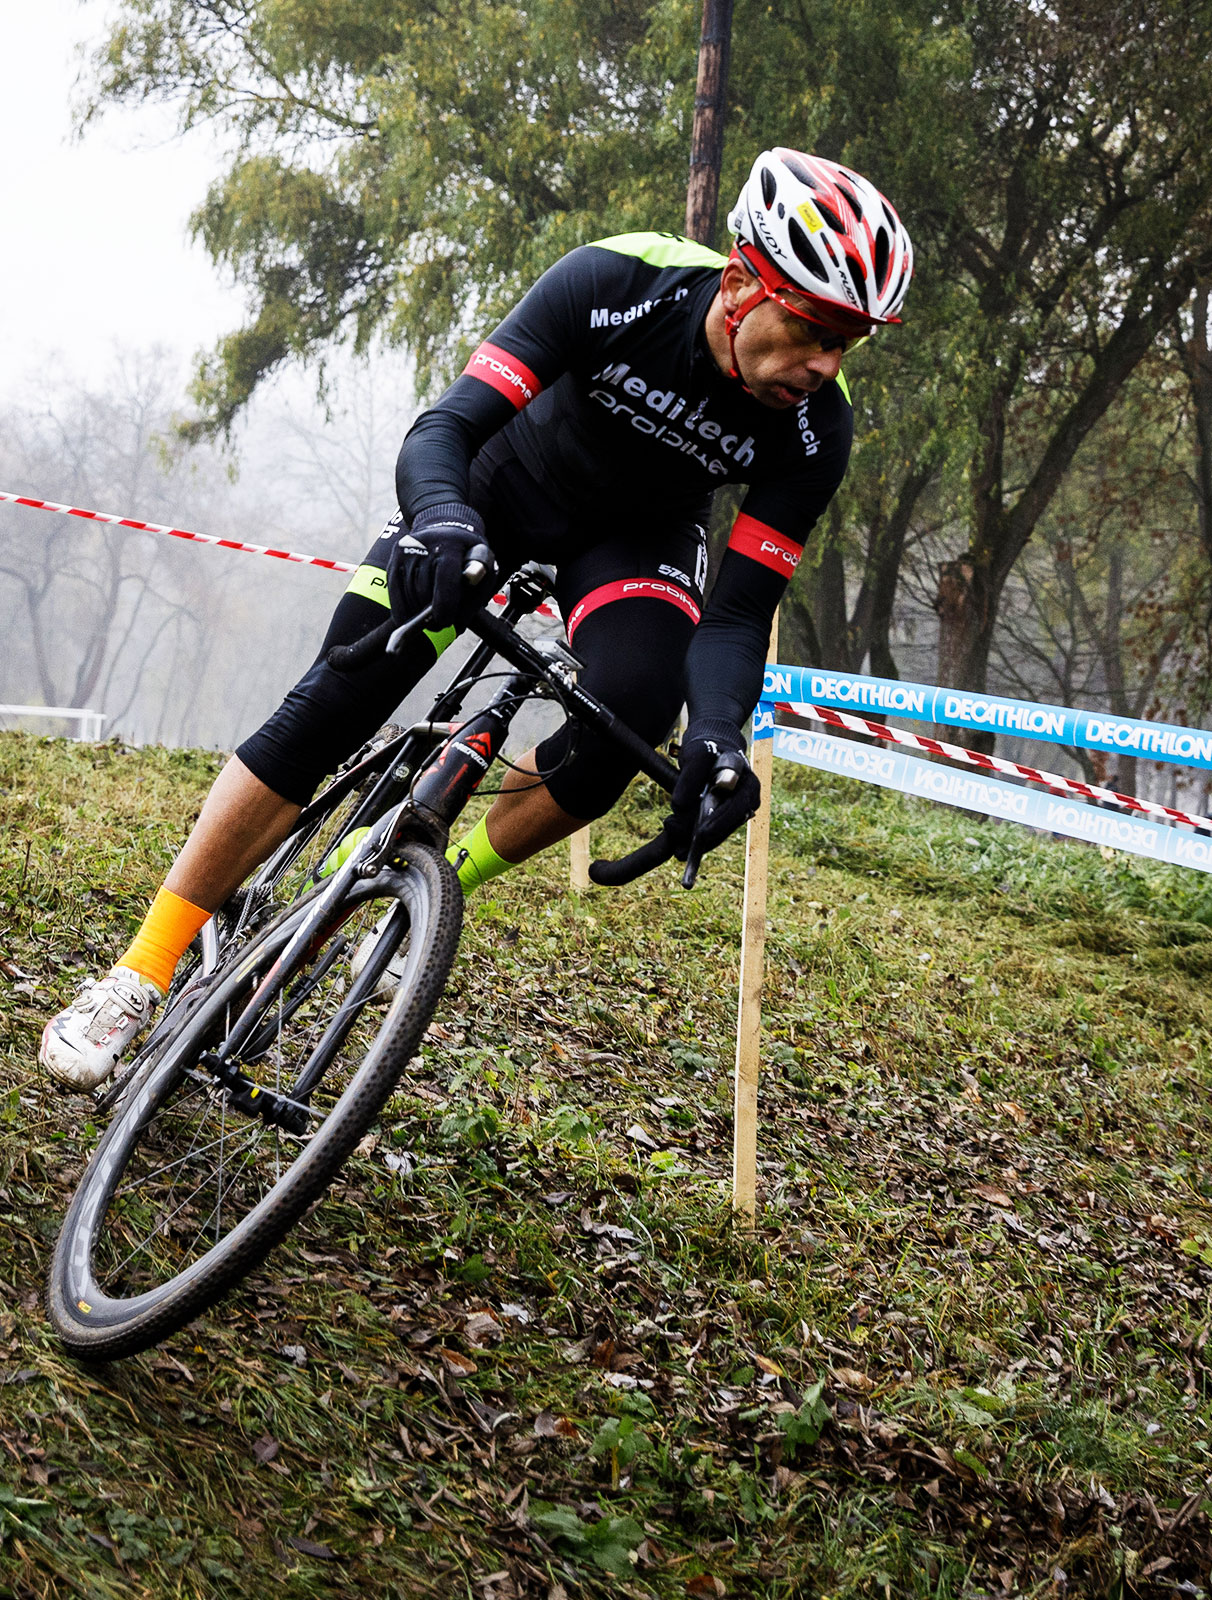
column 279, row 1049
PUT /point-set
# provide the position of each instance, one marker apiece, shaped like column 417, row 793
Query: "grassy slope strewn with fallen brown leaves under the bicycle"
column 986, row 1244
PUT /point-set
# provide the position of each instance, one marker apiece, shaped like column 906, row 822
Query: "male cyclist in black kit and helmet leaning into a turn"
column 589, row 431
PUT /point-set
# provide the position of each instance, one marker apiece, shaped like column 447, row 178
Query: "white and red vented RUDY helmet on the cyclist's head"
column 827, row 234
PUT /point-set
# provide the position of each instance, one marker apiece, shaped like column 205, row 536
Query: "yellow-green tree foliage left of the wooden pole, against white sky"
column 404, row 170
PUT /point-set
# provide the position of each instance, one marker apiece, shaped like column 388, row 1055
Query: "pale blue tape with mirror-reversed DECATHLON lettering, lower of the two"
column 992, row 798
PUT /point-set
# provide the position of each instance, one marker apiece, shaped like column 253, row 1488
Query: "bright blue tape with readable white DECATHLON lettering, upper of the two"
column 1155, row 742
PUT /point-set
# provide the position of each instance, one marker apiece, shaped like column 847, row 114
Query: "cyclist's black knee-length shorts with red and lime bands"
column 631, row 599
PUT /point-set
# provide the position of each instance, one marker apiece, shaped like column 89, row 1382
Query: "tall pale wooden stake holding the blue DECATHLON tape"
column 752, row 966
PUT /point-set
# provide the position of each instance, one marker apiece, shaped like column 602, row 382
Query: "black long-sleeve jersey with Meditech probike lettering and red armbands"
column 613, row 402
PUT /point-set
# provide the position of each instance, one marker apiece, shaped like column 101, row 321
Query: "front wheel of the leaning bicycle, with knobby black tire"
column 242, row 1119
